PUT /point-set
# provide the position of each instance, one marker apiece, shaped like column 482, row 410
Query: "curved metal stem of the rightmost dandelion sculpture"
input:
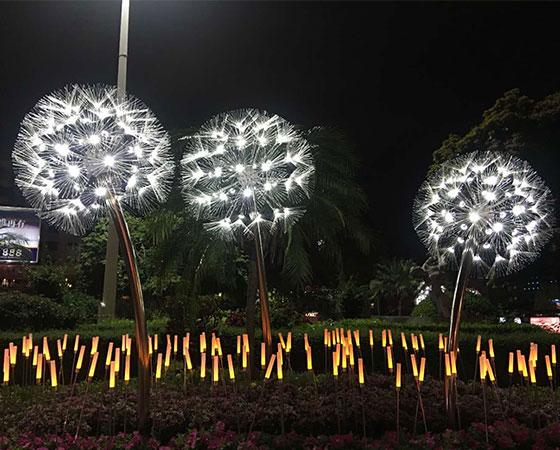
column 453, row 340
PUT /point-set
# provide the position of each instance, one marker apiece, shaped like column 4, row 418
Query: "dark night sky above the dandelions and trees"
column 396, row 77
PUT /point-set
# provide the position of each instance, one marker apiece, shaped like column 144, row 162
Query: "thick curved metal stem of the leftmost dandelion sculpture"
column 129, row 254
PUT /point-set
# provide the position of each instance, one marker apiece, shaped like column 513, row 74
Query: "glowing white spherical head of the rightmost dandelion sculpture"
column 491, row 203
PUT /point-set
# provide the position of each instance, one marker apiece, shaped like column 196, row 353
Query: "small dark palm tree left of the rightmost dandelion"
column 393, row 281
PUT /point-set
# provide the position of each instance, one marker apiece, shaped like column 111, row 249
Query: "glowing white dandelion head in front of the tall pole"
column 81, row 143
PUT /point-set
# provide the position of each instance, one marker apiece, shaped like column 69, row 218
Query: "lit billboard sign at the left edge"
column 20, row 230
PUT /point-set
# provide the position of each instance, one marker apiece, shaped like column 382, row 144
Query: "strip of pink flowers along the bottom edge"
column 501, row 435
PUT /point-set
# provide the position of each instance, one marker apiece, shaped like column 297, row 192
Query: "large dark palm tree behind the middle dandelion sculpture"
column 332, row 228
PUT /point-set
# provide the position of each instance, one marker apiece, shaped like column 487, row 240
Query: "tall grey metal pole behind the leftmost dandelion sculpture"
column 112, row 253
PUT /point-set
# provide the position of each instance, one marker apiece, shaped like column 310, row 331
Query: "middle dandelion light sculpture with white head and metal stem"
column 245, row 171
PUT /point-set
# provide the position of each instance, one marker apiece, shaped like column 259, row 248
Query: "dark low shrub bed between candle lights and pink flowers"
column 318, row 407
